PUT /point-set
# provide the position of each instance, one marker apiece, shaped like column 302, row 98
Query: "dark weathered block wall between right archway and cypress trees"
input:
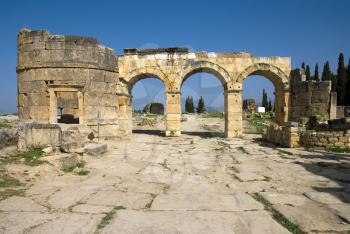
column 309, row 98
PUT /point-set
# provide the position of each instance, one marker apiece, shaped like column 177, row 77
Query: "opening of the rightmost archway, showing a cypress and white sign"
column 258, row 104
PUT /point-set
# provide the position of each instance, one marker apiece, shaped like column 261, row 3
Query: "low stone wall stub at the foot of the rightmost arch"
column 286, row 136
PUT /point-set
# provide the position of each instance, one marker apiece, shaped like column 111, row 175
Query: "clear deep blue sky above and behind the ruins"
column 312, row 31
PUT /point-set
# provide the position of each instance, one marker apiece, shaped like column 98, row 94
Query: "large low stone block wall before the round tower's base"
column 31, row 135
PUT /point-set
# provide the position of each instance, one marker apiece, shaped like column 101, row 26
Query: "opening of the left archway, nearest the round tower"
column 148, row 106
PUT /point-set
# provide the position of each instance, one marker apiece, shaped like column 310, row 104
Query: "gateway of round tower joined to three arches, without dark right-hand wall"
column 49, row 66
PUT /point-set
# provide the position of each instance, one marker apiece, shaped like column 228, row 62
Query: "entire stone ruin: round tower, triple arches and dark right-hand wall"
column 75, row 81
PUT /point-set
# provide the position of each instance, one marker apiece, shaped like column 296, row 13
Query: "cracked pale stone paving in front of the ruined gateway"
column 189, row 184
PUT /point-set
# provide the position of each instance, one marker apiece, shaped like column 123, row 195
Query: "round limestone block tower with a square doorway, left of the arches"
column 48, row 64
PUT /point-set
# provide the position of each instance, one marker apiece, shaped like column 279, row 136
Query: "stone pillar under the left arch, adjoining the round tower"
column 125, row 115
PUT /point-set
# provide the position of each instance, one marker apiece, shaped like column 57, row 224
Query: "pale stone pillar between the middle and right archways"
column 233, row 113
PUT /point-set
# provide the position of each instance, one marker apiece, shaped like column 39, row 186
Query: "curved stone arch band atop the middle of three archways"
column 208, row 67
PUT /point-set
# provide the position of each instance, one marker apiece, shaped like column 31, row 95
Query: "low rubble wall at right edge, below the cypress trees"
column 325, row 139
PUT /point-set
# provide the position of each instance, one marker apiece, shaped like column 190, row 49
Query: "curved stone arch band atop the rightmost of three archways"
column 271, row 72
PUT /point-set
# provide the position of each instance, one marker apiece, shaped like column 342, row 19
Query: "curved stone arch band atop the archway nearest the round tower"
column 142, row 73
